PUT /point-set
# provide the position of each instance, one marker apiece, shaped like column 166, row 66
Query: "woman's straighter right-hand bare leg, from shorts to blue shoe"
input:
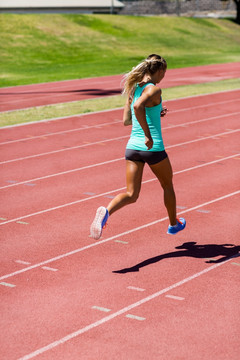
column 163, row 171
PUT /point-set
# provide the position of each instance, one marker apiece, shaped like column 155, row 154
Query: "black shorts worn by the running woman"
column 150, row 157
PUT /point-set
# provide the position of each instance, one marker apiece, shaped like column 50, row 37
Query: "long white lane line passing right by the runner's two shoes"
column 59, row 257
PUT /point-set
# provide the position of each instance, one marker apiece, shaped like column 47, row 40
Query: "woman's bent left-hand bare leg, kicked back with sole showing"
column 134, row 171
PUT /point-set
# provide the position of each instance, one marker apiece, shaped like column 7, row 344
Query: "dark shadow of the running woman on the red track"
column 190, row 249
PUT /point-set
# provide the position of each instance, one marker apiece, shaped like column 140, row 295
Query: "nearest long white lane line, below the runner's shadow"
column 119, row 312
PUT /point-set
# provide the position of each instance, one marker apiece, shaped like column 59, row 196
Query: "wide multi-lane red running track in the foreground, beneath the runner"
column 137, row 293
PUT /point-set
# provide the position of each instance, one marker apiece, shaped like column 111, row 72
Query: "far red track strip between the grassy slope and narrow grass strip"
column 20, row 97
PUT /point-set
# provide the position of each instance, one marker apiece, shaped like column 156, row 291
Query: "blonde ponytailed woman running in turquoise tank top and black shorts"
column 143, row 110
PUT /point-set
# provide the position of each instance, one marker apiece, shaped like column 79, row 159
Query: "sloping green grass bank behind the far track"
column 42, row 48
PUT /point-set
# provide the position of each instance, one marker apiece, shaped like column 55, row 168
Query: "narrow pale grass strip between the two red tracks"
column 85, row 106
